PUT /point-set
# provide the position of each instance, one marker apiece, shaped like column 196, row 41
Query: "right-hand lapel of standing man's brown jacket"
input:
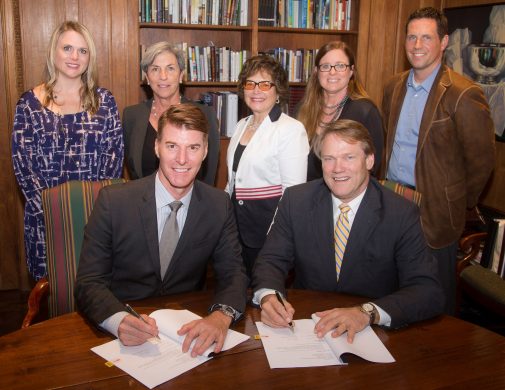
column 440, row 85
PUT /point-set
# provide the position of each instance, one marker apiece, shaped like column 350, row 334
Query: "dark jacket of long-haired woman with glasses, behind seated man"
column 365, row 112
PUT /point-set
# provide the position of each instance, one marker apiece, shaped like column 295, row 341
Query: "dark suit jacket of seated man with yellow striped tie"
column 386, row 257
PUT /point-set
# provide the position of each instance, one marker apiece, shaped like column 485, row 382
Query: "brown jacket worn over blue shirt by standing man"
column 455, row 151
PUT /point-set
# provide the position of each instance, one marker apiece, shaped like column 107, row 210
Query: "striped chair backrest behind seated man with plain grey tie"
column 66, row 210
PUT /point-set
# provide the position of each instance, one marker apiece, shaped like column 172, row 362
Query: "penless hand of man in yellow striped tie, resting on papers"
column 351, row 320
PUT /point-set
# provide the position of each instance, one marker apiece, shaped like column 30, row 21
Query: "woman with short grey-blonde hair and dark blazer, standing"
column 163, row 65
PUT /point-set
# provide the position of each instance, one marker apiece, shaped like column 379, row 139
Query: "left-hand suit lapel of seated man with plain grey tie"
column 149, row 219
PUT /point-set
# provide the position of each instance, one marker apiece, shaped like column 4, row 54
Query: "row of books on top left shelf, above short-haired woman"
column 213, row 12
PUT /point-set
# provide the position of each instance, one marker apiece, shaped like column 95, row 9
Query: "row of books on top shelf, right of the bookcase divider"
column 317, row 14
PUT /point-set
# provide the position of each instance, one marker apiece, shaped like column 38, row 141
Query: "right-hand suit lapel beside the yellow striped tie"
column 364, row 224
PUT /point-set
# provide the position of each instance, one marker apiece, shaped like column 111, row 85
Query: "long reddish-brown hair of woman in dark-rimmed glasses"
column 312, row 103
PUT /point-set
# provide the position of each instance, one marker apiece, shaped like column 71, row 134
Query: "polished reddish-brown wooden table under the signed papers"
column 443, row 352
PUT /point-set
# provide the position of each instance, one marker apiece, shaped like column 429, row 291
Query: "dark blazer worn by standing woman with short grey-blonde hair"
column 135, row 120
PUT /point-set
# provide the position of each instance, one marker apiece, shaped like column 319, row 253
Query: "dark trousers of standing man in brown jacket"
column 446, row 259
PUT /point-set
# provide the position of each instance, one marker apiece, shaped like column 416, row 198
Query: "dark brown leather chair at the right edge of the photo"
column 477, row 283
